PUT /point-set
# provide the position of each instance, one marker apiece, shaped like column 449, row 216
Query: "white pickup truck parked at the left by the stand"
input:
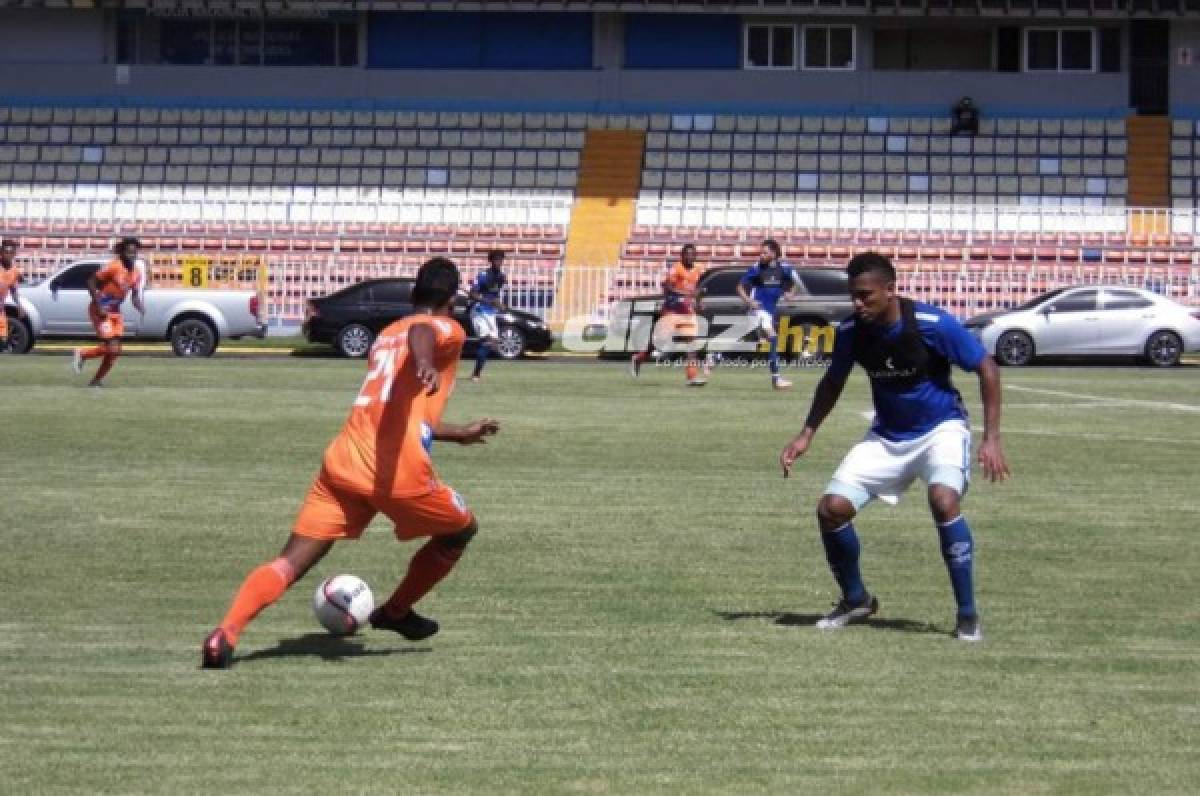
column 194, row 321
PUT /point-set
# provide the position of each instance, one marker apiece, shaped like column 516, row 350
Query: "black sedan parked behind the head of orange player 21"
column 351, row 319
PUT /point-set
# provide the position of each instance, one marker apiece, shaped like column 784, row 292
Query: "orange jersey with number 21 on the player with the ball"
column 380, row 451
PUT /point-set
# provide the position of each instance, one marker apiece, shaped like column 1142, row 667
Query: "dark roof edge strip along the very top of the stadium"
column 958, row 9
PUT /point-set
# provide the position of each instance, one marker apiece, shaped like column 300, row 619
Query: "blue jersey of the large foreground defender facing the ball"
column 905, row 411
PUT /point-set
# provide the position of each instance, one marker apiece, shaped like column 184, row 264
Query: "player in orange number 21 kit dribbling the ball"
column 380, row 463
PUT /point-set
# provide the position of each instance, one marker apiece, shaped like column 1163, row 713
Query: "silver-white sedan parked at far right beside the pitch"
column 1097, row 320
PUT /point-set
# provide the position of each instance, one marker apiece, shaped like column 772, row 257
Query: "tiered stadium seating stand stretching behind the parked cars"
column 329, row 197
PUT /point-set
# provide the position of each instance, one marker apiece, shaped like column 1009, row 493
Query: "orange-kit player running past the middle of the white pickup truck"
column 109, row 288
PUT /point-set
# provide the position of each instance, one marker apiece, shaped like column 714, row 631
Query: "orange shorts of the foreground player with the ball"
column 332, row 512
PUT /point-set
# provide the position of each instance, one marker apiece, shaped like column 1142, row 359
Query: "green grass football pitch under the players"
column 635, row 615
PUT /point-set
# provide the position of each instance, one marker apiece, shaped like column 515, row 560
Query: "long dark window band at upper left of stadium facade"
column 259, row 43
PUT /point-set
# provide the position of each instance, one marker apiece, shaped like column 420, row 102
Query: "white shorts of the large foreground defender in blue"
column 878, row 468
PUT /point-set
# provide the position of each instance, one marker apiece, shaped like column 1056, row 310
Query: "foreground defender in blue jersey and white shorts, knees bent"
column 920, row 432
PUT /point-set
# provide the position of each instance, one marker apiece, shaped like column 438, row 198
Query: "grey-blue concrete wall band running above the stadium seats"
column 79, row 46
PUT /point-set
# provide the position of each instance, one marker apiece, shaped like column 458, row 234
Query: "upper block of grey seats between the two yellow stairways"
column 898, row 160
